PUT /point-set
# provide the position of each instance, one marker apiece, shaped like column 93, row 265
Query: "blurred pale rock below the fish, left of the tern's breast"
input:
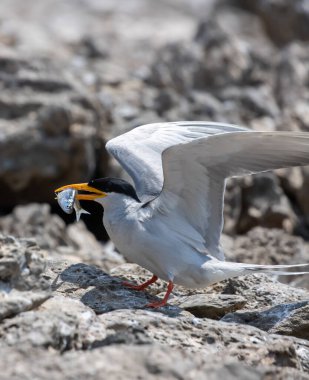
column 74, row 242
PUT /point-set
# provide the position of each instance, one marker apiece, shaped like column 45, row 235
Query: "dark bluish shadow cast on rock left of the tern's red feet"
column 102, row 292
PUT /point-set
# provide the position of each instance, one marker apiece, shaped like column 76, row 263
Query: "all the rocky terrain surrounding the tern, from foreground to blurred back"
column 75, row 73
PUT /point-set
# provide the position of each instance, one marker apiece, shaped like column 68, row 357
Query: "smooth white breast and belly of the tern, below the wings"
column 153, row 243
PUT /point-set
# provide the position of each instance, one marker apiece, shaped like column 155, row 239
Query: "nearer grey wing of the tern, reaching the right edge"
column 195, row 173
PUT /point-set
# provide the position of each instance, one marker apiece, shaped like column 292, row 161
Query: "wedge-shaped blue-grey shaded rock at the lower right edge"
column 285, row 319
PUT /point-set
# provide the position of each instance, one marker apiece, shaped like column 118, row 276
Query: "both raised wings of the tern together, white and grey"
column 182, row 167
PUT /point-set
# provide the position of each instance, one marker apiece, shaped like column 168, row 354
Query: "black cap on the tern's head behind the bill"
column 114, row 185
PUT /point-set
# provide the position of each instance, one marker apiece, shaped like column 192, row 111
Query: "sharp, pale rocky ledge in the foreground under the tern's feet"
column 92, row 315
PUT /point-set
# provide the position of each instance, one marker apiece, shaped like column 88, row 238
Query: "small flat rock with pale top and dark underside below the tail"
column 210, row 306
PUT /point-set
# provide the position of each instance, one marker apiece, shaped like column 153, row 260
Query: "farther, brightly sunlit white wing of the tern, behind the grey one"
column 139, row 151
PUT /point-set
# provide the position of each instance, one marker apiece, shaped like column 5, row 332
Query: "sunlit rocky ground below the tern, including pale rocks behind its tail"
column 61, row 312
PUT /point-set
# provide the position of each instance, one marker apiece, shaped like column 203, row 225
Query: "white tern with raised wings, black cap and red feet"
column 171, row 222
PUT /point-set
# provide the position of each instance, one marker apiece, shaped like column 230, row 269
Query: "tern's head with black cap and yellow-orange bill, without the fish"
column 100, row 188
